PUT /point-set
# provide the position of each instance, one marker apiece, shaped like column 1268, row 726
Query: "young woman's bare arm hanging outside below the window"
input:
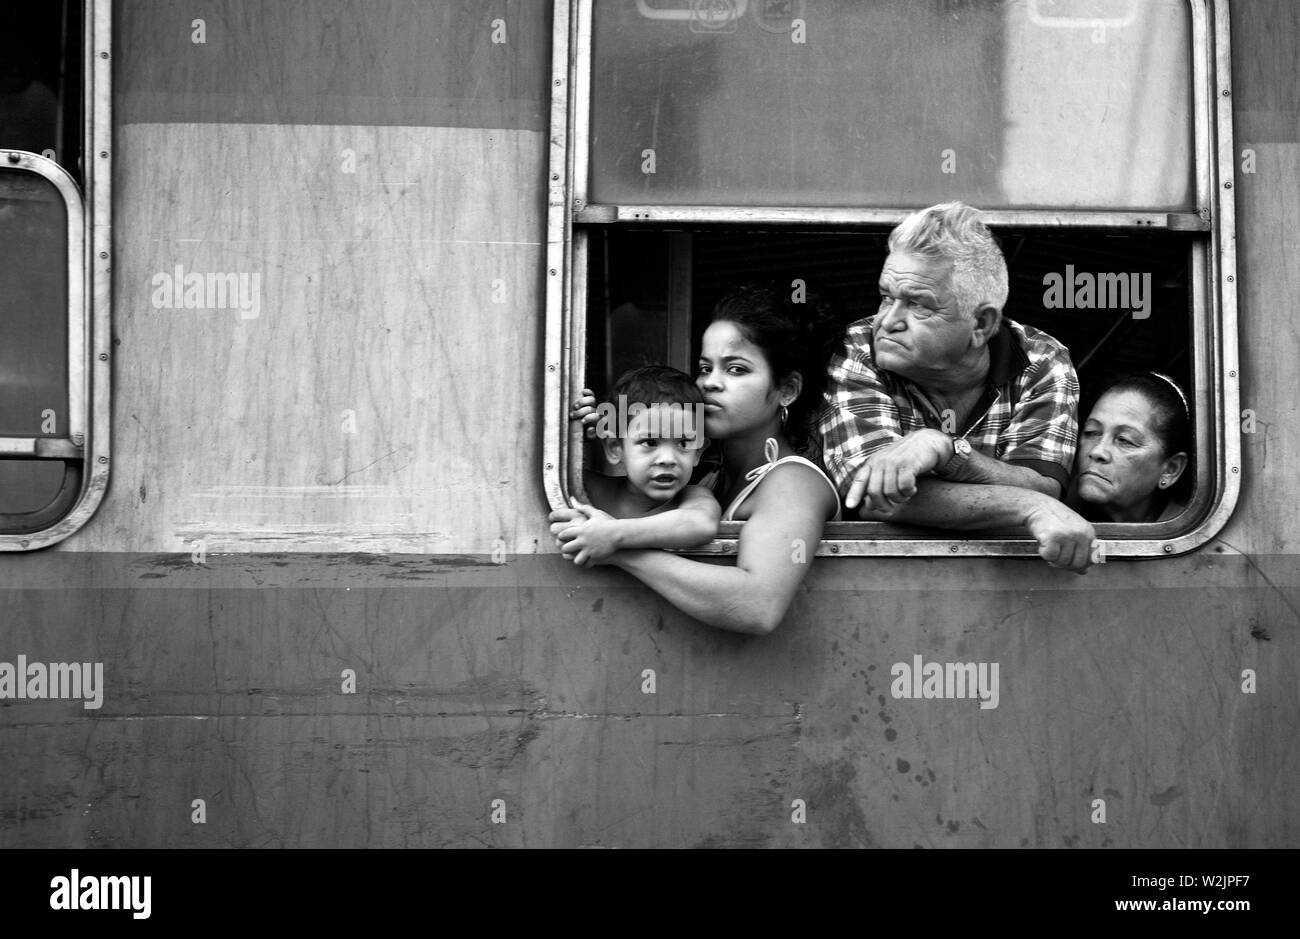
column 777, row 547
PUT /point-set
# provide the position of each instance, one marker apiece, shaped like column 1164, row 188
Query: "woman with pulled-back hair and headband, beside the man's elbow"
column 1134, row 452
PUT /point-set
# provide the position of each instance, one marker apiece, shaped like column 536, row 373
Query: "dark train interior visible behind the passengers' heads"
column 647, row 288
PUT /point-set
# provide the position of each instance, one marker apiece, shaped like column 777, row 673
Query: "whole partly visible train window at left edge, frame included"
column 55, row 152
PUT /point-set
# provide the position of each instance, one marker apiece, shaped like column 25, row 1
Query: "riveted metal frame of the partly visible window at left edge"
column 89, row 288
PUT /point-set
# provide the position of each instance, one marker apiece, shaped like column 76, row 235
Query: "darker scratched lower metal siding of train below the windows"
column 525, row 683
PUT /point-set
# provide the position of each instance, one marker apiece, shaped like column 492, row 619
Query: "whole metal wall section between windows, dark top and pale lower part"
column 328, row 278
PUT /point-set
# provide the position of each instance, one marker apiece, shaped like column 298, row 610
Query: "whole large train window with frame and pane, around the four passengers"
column 708, row 145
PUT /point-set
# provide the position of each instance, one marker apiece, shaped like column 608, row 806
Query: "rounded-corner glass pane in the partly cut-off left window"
column 33, row 308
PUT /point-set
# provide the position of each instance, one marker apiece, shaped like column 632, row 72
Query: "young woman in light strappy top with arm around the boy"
column 753, row 364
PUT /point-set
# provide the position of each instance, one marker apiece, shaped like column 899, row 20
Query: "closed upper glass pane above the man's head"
column 1067, row 105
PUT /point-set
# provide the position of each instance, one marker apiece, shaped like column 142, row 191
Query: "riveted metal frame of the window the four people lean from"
column 1214, row 289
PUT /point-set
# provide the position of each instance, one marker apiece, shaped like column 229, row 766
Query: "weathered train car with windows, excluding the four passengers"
column 297, row 298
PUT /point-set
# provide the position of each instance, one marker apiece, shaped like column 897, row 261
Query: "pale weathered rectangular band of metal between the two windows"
column 352, row 391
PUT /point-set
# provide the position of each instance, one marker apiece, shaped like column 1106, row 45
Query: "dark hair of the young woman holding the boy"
column 798, row 331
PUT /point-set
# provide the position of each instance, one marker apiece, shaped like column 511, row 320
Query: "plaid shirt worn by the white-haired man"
column 1026, row 417
